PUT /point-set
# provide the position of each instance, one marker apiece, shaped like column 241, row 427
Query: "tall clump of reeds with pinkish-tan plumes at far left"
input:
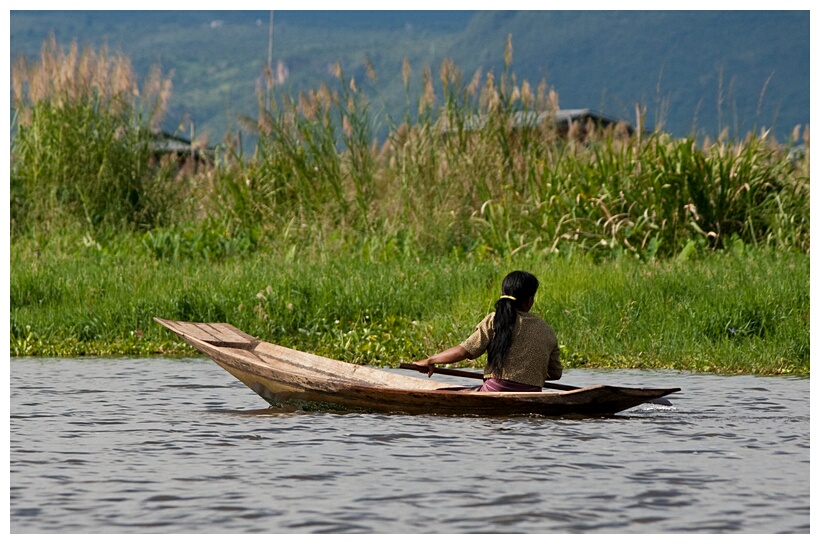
column 81, row 148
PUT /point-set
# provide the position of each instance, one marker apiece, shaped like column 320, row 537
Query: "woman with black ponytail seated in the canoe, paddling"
column 522, row 350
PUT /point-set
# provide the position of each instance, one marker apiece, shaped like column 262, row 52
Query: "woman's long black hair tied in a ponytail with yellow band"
column 521, row 286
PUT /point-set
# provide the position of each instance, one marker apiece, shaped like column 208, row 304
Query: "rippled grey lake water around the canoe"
column 180, row 446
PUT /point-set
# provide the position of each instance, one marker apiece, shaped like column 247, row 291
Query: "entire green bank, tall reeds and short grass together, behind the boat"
column 653, row 251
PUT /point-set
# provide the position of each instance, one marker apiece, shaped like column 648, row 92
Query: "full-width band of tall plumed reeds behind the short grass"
column 483, row 168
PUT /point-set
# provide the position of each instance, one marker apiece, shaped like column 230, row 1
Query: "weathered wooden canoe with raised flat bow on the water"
column 284, row 376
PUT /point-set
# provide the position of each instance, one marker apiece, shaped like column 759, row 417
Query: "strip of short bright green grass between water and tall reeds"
column 736, row 311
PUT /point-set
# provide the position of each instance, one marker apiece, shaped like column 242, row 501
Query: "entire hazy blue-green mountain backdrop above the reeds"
column 693, row 70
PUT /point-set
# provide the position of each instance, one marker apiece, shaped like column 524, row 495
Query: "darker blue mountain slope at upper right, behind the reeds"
column 684, row 59
